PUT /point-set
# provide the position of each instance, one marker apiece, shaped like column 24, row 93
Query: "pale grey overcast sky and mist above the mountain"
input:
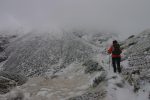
column 120, row 16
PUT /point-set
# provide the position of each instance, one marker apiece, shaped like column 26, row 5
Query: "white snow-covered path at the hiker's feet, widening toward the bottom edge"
column 114, row 92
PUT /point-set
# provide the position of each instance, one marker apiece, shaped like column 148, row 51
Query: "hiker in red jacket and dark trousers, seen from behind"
column 116, row 58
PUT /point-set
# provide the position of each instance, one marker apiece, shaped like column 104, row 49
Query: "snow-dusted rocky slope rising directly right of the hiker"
column 136, row 64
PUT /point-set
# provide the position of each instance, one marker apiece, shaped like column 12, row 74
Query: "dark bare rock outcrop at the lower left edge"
column 10, row 80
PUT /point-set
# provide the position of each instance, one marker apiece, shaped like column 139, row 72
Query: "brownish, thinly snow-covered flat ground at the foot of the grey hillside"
column 69, row 83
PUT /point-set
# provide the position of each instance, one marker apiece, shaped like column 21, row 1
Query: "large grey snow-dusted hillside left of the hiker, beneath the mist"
column 35, row 54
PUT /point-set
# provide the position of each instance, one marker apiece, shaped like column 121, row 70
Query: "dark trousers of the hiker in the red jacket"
column 116, row 64
